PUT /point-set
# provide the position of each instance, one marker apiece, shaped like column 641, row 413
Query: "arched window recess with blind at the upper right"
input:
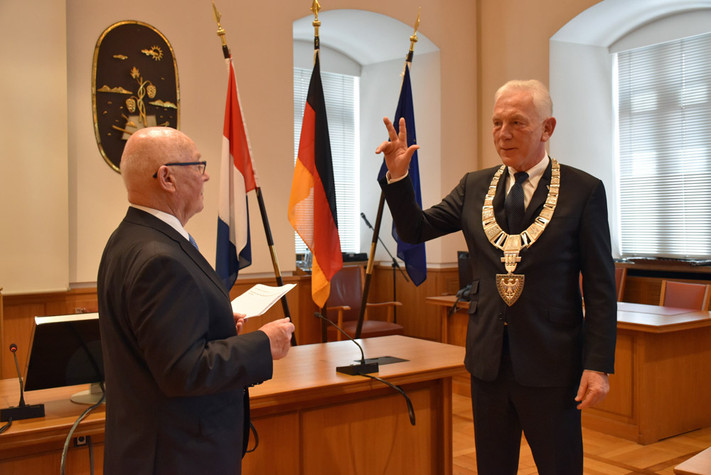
column 606, row 128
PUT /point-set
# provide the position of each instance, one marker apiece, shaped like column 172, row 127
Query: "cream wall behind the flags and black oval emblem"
column 61, row 198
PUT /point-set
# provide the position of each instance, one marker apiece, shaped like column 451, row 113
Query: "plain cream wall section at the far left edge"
column 34, row 241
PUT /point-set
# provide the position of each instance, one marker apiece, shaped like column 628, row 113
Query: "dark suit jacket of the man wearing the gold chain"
column 550, row 341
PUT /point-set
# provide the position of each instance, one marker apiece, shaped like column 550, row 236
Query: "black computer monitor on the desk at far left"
column 65, row 350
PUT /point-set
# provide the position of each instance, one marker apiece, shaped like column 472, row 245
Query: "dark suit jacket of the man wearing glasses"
column 175, row 368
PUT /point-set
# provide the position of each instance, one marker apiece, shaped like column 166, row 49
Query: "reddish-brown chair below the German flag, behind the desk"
column 343, row 307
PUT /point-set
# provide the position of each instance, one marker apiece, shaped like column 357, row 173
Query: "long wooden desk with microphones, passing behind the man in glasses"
column 309, row 418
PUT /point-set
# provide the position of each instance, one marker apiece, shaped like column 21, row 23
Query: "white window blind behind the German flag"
column 342, row 96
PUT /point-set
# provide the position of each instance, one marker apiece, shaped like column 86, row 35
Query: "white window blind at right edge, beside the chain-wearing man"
column 664, row 129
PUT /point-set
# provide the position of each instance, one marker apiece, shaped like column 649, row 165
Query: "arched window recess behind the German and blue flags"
column 362, row 58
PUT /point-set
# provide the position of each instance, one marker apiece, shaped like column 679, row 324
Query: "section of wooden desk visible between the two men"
column 325, row 422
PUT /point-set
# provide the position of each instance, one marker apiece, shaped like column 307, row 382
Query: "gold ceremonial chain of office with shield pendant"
column 510, row 285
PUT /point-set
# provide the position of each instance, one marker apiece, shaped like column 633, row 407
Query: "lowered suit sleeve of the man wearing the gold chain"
column 598, row 270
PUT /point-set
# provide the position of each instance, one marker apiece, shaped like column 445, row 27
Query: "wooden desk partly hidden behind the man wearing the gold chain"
column 662, row 377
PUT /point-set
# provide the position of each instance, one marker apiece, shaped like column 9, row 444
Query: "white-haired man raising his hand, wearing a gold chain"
column 532, row 227
